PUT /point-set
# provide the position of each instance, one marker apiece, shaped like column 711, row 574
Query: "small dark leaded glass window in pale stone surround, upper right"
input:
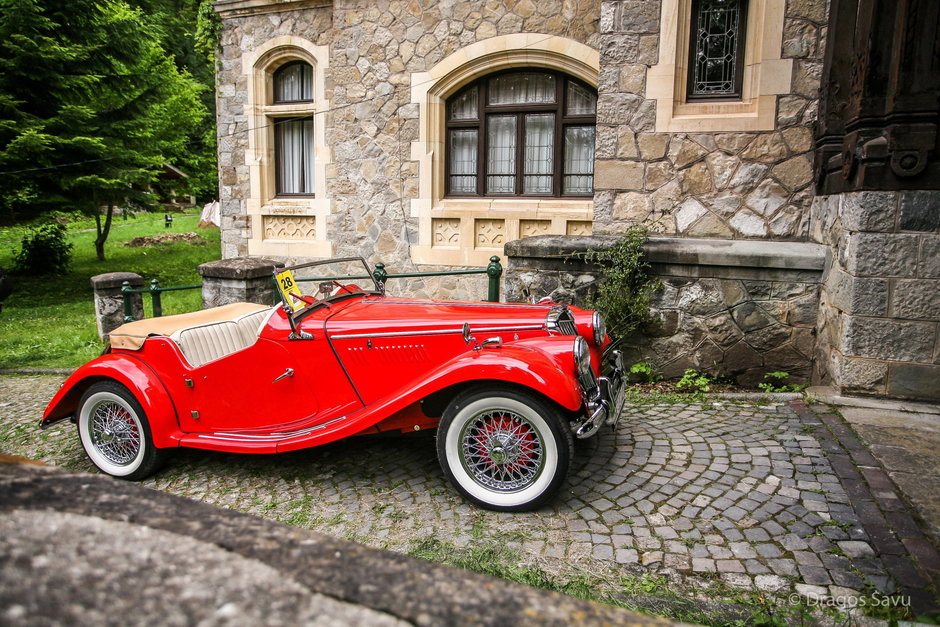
column 716, row 60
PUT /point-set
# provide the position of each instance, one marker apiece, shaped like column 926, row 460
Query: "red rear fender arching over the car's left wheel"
column 131, row 372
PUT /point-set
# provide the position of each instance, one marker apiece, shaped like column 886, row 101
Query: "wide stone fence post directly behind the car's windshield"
column 238, row 280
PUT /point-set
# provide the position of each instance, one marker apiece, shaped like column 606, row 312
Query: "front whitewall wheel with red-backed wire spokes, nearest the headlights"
column 504, row 450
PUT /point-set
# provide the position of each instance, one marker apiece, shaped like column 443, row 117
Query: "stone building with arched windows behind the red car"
column 431, row 134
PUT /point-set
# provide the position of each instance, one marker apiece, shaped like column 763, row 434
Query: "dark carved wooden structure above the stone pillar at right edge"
column 879, row 108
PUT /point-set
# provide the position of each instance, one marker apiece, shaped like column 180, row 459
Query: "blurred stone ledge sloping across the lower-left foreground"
column 390, row 584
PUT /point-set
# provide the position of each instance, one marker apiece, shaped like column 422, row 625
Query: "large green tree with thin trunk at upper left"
column 91, row 107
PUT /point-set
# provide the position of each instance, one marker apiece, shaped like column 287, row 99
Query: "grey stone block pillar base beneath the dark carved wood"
column 880, row 303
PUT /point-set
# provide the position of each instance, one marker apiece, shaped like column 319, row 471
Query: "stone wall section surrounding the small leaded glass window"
column 721, row 181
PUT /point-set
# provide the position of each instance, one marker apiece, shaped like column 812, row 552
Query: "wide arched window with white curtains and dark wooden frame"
column 521, row 133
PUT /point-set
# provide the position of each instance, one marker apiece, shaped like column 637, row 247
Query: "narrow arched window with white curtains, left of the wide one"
column 293, row 134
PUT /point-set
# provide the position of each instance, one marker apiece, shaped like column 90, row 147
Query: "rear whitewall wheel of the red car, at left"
column 115, row 433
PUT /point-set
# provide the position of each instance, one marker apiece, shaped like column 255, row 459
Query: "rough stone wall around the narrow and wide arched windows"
column 374, row 50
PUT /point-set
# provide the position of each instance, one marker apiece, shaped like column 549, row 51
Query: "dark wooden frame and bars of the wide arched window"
column 485, row 110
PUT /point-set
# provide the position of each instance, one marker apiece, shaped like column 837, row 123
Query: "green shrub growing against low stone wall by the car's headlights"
column 624, row 295
